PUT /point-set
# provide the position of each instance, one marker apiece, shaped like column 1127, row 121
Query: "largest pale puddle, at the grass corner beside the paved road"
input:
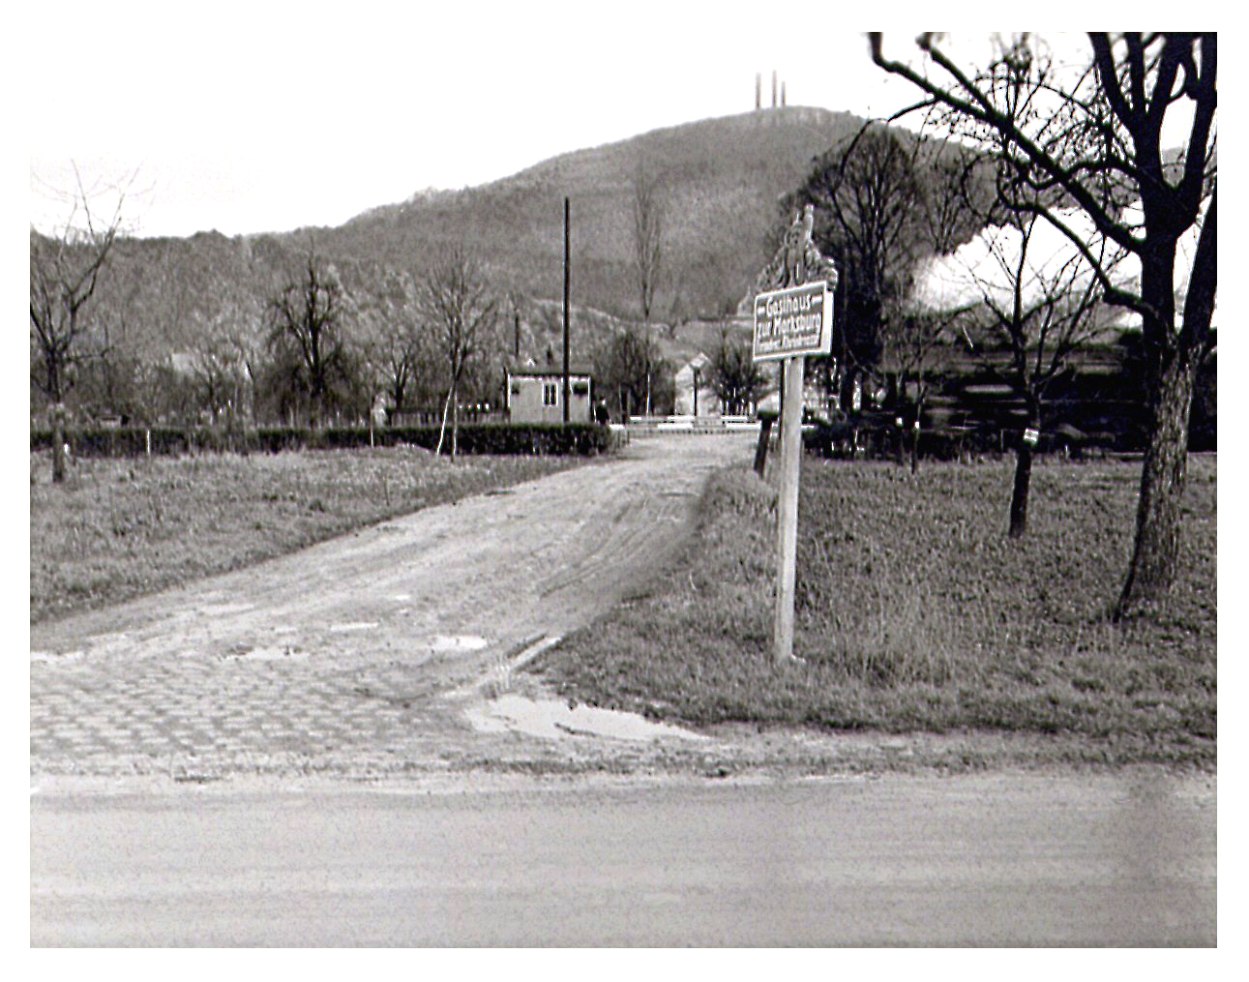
column 554, row 719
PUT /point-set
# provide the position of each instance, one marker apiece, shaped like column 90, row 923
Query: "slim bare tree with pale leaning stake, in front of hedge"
column 463, row 312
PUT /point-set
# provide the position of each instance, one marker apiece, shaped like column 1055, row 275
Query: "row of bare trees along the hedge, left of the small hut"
column 323, row 345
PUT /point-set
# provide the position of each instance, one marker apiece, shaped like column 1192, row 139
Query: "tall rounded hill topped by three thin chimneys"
column 723, row 179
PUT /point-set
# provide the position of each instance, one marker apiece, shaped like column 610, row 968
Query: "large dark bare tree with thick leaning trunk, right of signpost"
column 1097, row 141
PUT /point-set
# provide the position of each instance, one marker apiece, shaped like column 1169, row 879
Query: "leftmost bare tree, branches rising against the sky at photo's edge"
column 66, row 270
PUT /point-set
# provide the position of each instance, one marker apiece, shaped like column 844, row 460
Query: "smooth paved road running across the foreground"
column 1004, row 860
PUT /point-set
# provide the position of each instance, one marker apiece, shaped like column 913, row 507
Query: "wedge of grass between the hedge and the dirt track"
column 118, row 529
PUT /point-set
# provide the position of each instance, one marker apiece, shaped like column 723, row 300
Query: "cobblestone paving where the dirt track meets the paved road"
column 168, row 713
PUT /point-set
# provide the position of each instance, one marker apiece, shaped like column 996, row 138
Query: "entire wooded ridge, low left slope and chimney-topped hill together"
column 721, row 177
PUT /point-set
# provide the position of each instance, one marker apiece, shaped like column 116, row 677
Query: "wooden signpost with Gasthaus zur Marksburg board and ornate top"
column 794, row 318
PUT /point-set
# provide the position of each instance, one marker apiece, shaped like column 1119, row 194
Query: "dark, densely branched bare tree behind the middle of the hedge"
column 307, row 322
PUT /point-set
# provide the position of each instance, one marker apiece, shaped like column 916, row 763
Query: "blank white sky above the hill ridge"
column 267, row 117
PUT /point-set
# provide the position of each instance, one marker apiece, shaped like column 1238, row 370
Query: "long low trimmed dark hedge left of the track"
column 474, row 439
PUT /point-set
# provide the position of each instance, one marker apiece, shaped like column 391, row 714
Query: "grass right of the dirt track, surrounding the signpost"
column 916, row 613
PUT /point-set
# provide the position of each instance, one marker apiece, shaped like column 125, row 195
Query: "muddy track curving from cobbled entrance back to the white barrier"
column 347, row 658
